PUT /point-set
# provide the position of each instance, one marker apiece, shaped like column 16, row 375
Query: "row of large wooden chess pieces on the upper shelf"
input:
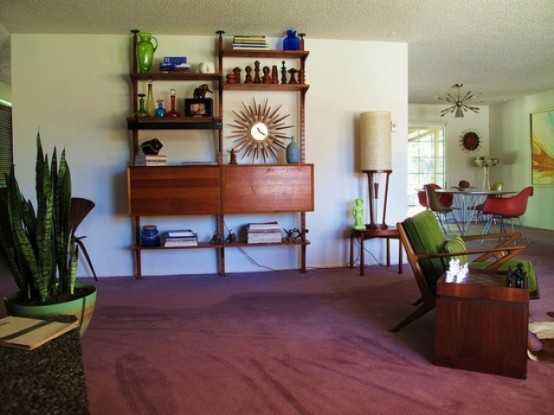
column 266, row 75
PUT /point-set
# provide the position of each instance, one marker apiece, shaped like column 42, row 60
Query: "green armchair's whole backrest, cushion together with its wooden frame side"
column 422, row 234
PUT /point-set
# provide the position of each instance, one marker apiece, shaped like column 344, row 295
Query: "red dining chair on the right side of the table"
column 501, row 208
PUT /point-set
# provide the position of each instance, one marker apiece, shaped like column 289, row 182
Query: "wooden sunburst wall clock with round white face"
column 258, row 131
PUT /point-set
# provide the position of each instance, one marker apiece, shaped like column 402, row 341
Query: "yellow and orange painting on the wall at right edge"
column 542, row 147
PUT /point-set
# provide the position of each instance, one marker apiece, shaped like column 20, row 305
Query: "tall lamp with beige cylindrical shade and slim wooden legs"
column 376, row 159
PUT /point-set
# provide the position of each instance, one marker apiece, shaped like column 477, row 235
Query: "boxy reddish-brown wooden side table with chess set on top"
column 482, row 325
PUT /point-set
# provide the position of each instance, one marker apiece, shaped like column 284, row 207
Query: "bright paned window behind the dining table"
column 426, row 158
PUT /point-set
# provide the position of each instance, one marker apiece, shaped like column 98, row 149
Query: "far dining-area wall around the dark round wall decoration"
column 460, row 163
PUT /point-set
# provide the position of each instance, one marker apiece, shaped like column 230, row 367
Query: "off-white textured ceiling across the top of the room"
column 501, row 48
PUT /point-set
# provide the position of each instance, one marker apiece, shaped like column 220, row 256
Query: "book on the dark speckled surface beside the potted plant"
column 30, row 333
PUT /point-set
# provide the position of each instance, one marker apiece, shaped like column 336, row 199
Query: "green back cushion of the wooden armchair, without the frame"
column 427, row 237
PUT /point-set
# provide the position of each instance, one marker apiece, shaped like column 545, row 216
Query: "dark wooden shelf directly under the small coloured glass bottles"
column 178, row 123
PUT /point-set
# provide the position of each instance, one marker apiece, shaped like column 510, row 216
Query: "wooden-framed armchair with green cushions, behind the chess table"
column 429, row 254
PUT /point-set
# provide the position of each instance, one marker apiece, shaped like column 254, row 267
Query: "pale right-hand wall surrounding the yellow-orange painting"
column 510, row 127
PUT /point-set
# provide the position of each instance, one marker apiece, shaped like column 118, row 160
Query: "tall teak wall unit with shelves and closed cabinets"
column 218, row 190
